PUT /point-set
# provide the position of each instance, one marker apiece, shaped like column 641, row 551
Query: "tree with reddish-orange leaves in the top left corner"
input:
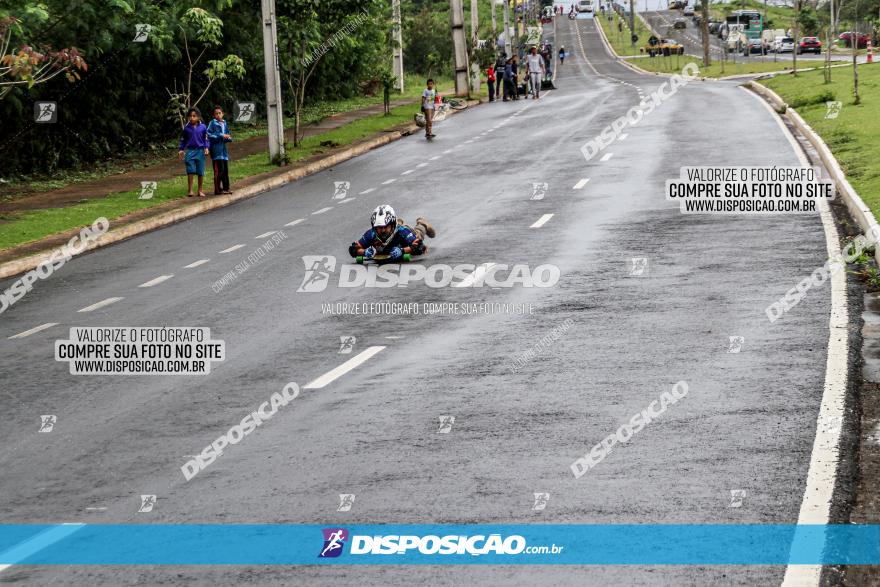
column 27, row 66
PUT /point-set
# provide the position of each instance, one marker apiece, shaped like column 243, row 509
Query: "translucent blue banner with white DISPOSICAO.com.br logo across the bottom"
column 277, row 544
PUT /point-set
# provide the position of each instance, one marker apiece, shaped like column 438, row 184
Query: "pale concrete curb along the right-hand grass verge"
column 854, row 203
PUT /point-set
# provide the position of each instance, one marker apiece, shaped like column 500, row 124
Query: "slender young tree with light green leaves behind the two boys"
column 206, row 29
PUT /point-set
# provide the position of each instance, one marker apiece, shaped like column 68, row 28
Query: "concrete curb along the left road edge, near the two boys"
column 17, row 266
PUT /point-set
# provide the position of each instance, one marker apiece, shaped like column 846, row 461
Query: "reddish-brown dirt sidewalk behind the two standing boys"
column 78, row 192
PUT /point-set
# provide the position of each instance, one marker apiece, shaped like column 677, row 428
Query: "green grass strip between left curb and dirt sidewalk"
column 29, row 226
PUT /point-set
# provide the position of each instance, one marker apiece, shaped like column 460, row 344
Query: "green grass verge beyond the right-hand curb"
column 852, row 136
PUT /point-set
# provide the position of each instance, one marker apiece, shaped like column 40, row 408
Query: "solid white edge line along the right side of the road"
column 816, row 505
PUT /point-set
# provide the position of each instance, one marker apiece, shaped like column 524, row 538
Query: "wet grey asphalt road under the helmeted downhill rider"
column 748, row 422
